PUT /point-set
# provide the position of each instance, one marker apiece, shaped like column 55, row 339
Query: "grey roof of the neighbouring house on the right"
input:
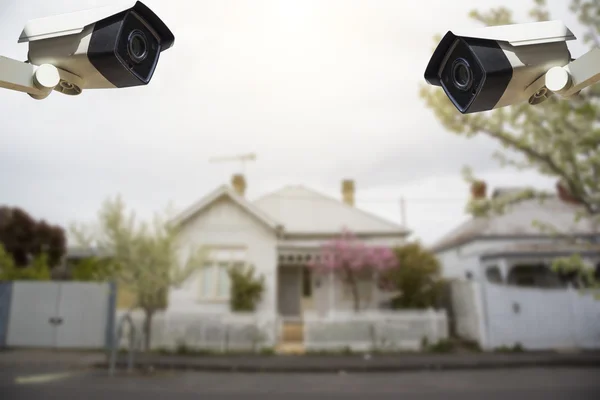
column 517, row 222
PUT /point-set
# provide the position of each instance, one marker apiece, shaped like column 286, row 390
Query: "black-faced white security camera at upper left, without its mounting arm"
column 109, row 47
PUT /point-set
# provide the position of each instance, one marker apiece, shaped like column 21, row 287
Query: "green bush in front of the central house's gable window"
column 246, row 288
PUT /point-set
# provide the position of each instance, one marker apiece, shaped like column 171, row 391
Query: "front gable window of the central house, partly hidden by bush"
column 214, row 278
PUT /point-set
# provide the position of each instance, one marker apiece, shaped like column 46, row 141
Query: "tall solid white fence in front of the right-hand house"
column 537, row 319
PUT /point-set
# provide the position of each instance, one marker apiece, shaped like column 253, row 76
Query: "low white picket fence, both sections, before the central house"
column 248, row 332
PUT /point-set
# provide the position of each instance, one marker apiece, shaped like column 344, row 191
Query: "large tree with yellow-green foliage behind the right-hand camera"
column 558, row 138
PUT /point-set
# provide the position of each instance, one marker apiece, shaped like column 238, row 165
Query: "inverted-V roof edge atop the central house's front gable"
column 224, row 191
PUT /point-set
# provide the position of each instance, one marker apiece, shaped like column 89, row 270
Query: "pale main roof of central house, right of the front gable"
column 304, row 211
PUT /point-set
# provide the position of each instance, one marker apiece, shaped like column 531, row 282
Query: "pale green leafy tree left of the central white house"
column 144, row 257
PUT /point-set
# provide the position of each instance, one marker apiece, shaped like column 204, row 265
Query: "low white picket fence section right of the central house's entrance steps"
column 402, row 330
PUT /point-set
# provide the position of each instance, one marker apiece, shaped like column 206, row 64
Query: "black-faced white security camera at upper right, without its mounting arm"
column 497, row 66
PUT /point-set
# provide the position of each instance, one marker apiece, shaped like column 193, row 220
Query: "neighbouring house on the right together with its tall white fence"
column 504, row 291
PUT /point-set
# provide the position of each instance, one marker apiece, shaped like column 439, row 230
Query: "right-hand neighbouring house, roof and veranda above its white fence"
column 509, row 248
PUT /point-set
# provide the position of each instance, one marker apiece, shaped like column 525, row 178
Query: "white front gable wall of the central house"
column 225, row 223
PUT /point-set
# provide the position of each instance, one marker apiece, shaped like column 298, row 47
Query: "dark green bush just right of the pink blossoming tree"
column 418, row 282
